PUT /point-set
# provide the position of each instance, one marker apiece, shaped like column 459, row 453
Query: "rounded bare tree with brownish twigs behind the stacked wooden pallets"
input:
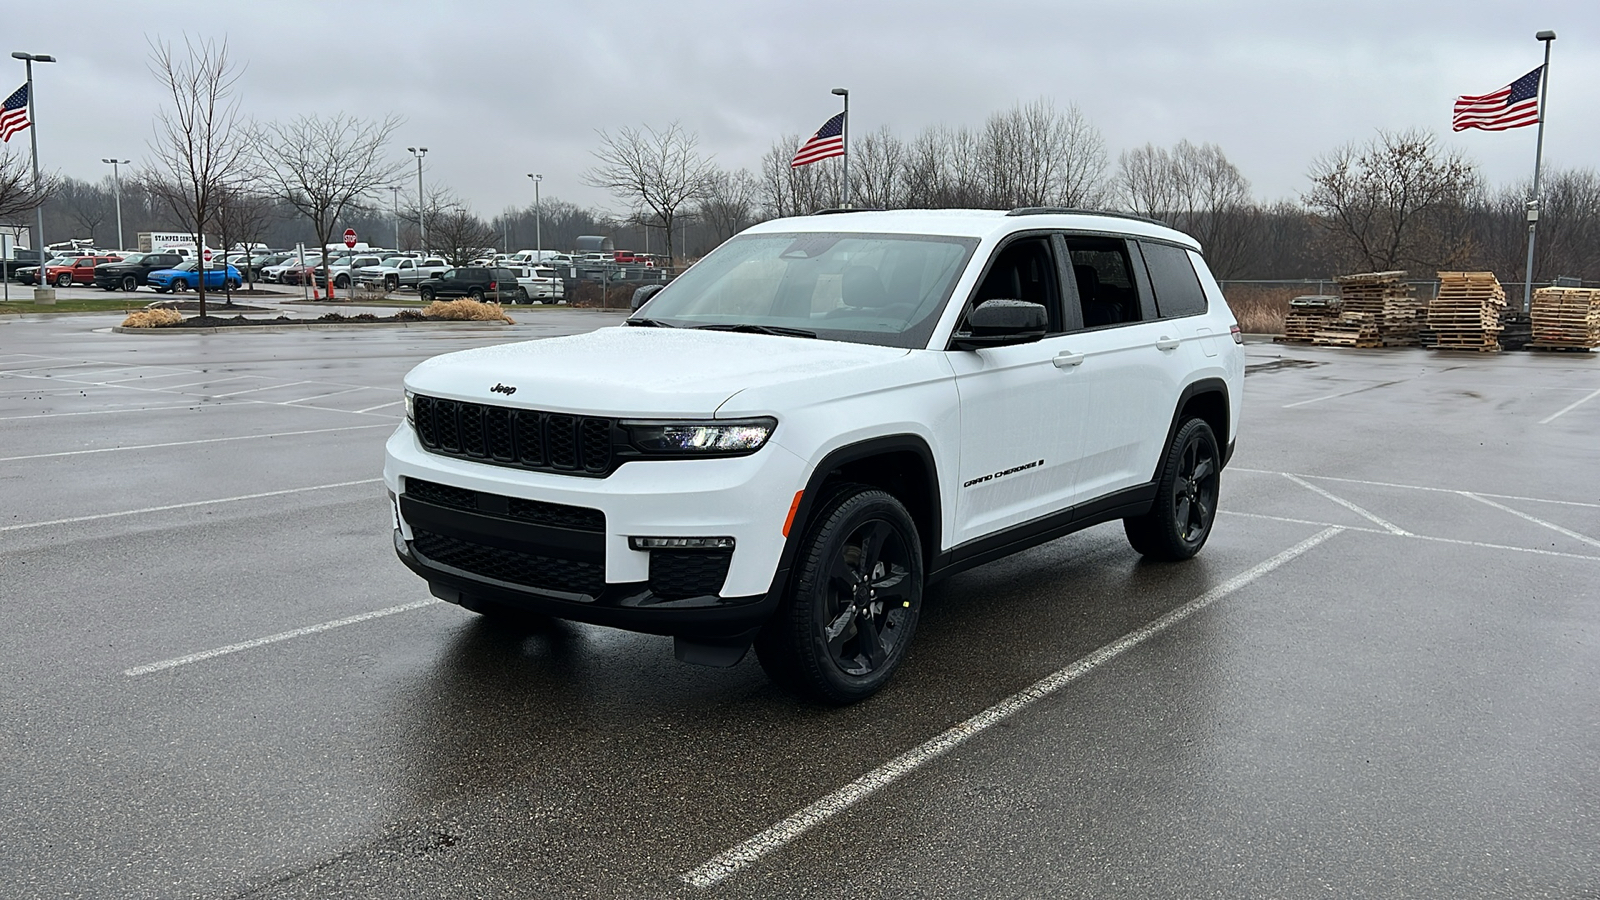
column 1394, row 203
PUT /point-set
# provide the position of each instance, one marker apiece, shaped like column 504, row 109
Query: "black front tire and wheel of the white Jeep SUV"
column 860, row 563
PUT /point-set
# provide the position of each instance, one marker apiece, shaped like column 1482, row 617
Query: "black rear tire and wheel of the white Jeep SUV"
column 1180, row 521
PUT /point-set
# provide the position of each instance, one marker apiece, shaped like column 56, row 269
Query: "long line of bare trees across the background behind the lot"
column 1398, row 201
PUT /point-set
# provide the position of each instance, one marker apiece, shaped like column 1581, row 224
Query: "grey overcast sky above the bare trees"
column 502, row 89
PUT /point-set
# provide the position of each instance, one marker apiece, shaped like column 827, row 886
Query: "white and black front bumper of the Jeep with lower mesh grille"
column 478, row 531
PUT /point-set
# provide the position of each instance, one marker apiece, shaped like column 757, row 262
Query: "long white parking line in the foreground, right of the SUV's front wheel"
column 748, row 853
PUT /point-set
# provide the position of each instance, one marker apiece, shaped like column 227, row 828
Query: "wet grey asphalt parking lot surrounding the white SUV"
column 1378, row 680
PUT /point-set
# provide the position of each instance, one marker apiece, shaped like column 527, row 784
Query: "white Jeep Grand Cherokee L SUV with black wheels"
column 790, row 443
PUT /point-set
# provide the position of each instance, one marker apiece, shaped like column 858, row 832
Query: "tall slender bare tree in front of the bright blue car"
column 201, row 148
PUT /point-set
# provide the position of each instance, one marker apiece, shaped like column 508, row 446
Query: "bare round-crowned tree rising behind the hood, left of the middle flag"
column 658, row 172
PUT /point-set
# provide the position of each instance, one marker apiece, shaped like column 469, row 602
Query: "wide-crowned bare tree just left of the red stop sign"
column 324, row 167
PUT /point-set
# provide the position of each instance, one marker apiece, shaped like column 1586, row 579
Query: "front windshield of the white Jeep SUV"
column 870, row 289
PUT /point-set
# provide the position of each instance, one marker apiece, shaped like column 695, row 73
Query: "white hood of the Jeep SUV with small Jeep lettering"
column 638, row 372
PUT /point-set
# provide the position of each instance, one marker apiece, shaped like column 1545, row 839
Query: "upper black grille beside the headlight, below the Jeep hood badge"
column 527, row 440
